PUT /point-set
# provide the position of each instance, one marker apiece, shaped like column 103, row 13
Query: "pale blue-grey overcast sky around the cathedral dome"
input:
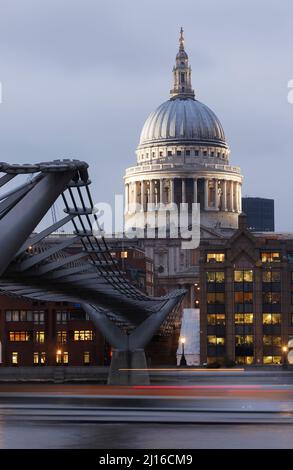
column 80, row 77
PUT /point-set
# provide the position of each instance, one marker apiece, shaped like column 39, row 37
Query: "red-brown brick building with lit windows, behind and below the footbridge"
column 50, row 333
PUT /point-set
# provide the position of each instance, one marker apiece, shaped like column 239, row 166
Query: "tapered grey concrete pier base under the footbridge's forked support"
column 128, row 368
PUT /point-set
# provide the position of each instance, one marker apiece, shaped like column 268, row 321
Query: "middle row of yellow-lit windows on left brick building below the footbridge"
column 62, row 336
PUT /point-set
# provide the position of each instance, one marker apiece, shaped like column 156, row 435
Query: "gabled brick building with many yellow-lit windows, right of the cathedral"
column 246, row 296
